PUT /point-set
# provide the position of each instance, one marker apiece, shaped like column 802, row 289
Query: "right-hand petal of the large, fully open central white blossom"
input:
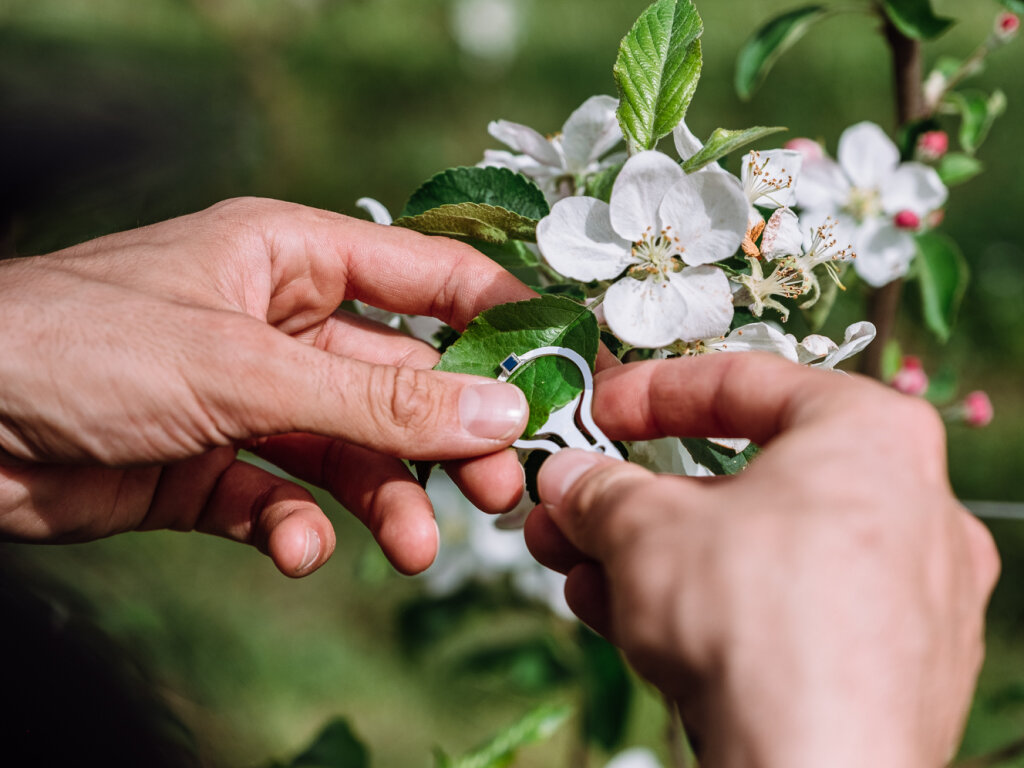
column 708, row 214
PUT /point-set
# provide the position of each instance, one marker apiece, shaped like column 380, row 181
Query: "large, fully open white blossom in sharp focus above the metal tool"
column 656, row 239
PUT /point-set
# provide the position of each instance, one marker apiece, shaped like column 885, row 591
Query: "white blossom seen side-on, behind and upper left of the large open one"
column 558, row 163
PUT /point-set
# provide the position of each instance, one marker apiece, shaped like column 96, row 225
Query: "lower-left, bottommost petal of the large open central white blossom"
column 646, row 313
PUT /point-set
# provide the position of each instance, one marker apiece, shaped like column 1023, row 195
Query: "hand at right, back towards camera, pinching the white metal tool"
column 825, row 608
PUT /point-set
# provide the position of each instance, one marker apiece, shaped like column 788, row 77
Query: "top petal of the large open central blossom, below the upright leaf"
column 637, row 194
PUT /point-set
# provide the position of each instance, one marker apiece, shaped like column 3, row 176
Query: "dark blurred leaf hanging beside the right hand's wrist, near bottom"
column 608, row 692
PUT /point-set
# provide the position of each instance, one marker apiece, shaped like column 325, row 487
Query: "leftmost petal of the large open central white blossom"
column 577, row 240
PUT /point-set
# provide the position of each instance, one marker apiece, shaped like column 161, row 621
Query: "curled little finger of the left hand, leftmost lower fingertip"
column 277, row 517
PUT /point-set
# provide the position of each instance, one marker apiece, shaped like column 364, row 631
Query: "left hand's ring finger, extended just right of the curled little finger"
column 377, row 490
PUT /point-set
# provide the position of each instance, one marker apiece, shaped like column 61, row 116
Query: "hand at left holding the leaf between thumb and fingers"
column 133, row 367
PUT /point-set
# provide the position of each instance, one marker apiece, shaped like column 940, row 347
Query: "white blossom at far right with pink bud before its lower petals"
column 878, row 202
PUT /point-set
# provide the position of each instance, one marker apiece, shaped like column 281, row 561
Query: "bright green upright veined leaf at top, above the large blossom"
column 658, row 70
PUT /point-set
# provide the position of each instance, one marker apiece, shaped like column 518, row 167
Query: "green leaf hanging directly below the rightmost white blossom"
column 943, row 275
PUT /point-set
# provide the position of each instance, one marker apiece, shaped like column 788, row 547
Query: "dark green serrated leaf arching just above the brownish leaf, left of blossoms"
column 491, row 187
